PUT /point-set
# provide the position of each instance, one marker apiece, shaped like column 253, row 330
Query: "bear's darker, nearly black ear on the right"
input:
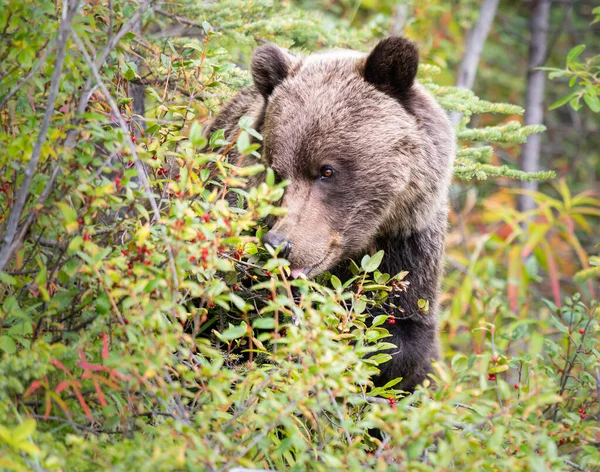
column 392, row 65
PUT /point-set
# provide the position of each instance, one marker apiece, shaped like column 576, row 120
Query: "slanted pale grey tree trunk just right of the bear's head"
column 475, row 42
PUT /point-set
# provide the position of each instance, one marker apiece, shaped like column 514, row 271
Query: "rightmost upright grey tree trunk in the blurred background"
column 534, row 101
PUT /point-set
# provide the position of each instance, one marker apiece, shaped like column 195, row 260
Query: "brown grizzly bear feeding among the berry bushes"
column 369, row 156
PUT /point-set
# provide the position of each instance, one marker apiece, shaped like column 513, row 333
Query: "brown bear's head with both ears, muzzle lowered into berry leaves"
column 367, row 151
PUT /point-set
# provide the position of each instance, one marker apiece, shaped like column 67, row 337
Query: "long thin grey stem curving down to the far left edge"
column 15, row 215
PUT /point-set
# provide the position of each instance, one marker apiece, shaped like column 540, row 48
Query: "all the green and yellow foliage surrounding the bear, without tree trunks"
column 143, row 325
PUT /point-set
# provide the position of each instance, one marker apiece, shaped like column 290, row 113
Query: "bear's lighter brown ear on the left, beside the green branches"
column 270, row 65
